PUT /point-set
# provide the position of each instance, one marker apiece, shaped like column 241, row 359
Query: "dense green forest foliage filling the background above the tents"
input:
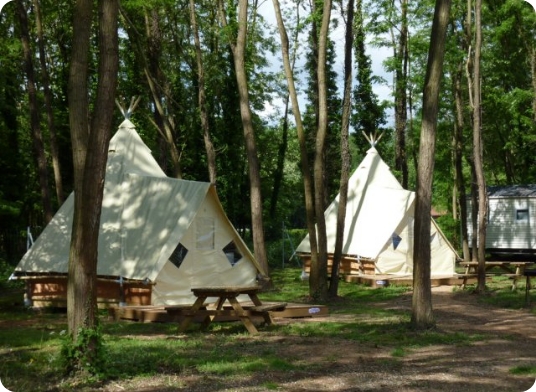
column 157, row 62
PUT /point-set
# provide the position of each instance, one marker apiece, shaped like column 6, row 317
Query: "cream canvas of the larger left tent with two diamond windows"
column 168, row 232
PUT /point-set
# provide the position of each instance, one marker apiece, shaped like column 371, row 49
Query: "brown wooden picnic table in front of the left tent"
column 228, row 294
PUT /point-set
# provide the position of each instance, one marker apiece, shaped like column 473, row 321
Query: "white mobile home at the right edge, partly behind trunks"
column 511, row 225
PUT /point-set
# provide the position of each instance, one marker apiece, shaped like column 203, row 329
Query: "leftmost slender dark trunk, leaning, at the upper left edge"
column 35, row 123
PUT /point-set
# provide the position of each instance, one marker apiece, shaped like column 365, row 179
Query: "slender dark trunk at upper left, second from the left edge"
column 54, row 149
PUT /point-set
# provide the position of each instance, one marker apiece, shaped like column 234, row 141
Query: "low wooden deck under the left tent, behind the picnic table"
column 147, row 314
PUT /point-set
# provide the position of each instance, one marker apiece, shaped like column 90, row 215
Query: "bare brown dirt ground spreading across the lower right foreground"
column 510, row 341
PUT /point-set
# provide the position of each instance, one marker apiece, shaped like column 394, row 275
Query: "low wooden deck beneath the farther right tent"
column 392, row 280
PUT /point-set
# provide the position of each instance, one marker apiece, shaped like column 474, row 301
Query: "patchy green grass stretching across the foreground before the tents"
column 30, row 343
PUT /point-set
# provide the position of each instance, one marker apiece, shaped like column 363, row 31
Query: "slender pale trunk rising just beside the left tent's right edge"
column 238, row 49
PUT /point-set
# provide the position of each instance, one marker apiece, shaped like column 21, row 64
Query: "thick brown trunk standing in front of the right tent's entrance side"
column 422, row 313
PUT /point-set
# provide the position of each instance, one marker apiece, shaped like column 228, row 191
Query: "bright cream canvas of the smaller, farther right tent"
column 379, row 223
